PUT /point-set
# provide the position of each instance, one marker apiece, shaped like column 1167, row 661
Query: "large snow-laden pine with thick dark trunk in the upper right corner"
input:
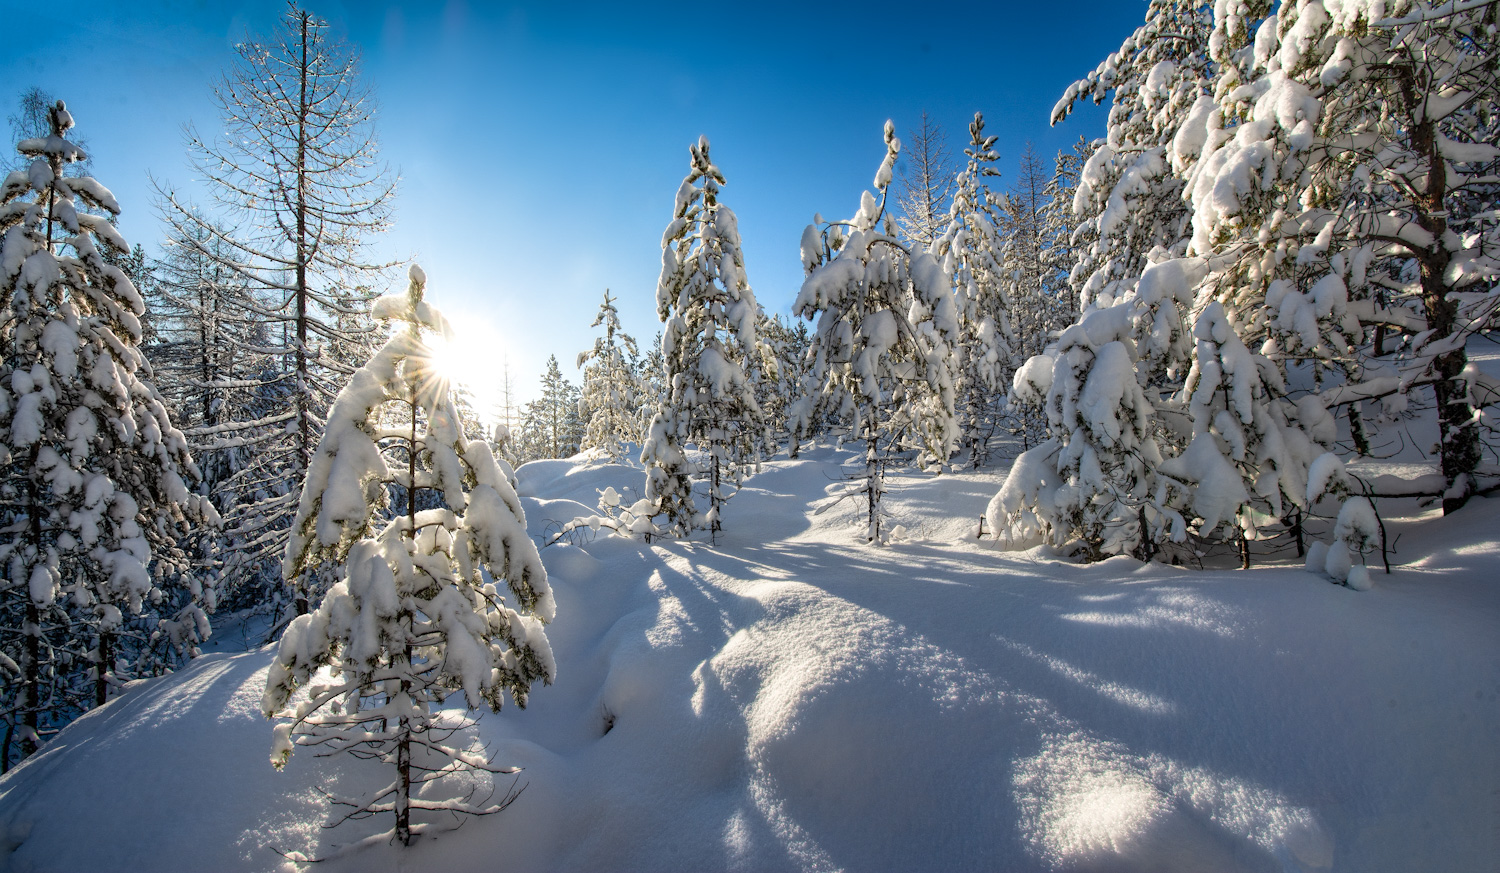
column 1370, row 128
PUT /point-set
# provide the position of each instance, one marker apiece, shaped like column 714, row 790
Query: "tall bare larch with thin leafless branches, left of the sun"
column 298, row 176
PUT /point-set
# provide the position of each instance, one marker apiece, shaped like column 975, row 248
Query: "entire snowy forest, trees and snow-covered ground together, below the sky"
column 1208, row 374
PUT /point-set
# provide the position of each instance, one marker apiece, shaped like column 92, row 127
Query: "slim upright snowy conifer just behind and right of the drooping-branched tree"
column 971, row 251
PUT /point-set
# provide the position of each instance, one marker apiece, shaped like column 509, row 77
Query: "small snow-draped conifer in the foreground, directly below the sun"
column 431, row 602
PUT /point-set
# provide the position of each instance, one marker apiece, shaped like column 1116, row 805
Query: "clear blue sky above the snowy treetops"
column 541, row 145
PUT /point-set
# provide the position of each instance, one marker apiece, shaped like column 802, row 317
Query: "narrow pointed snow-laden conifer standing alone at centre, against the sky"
column 709, row 350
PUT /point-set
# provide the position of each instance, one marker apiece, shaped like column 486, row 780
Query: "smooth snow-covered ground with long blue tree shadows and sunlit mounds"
column 791, row 700
